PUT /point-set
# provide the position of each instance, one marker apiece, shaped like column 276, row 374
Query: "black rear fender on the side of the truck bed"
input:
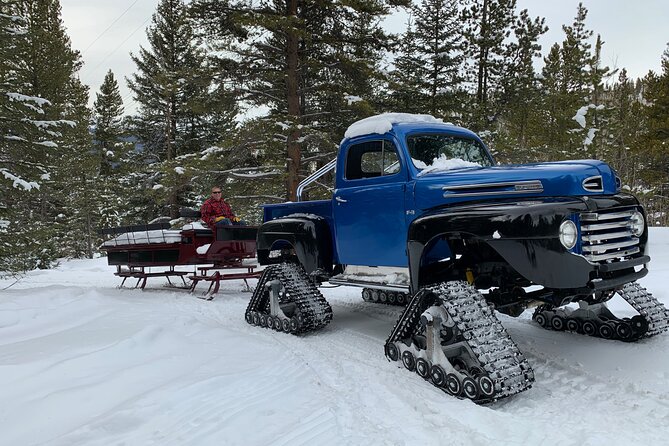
column 309, row 236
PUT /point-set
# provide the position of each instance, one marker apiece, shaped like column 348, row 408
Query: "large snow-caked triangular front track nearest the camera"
column 479, row 361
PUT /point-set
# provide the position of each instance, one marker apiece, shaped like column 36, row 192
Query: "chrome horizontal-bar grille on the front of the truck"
column 608, row 235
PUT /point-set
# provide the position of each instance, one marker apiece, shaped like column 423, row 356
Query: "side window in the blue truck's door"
column 371, row 159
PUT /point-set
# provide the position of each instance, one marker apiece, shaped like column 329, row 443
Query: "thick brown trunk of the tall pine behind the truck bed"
column 292, row 89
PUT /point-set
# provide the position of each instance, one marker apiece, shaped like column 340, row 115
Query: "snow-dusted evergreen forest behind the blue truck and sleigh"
column 256, row 95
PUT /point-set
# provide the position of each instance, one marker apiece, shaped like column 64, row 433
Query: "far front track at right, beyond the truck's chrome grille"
column 596, row 320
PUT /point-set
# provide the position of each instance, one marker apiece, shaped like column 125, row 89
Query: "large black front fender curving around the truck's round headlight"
column 523, row 232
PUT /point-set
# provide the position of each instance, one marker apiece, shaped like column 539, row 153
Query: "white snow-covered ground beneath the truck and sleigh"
column 82, row 362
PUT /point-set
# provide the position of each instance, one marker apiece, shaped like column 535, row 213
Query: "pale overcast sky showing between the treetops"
column 107, row 31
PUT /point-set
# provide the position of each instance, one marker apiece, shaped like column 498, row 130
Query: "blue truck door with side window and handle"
column 368, row 204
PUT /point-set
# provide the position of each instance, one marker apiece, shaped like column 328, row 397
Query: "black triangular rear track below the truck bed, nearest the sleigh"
column 301, row 306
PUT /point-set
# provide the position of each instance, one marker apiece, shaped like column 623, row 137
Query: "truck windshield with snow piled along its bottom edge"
column 445, row 152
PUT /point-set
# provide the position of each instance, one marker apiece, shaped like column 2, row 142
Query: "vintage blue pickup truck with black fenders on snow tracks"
column 422, row 216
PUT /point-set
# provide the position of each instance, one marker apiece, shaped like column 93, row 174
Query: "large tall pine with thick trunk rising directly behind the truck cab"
column 300, row 60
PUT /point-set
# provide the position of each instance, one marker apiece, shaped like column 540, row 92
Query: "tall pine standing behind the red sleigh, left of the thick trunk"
column 172, row 86
